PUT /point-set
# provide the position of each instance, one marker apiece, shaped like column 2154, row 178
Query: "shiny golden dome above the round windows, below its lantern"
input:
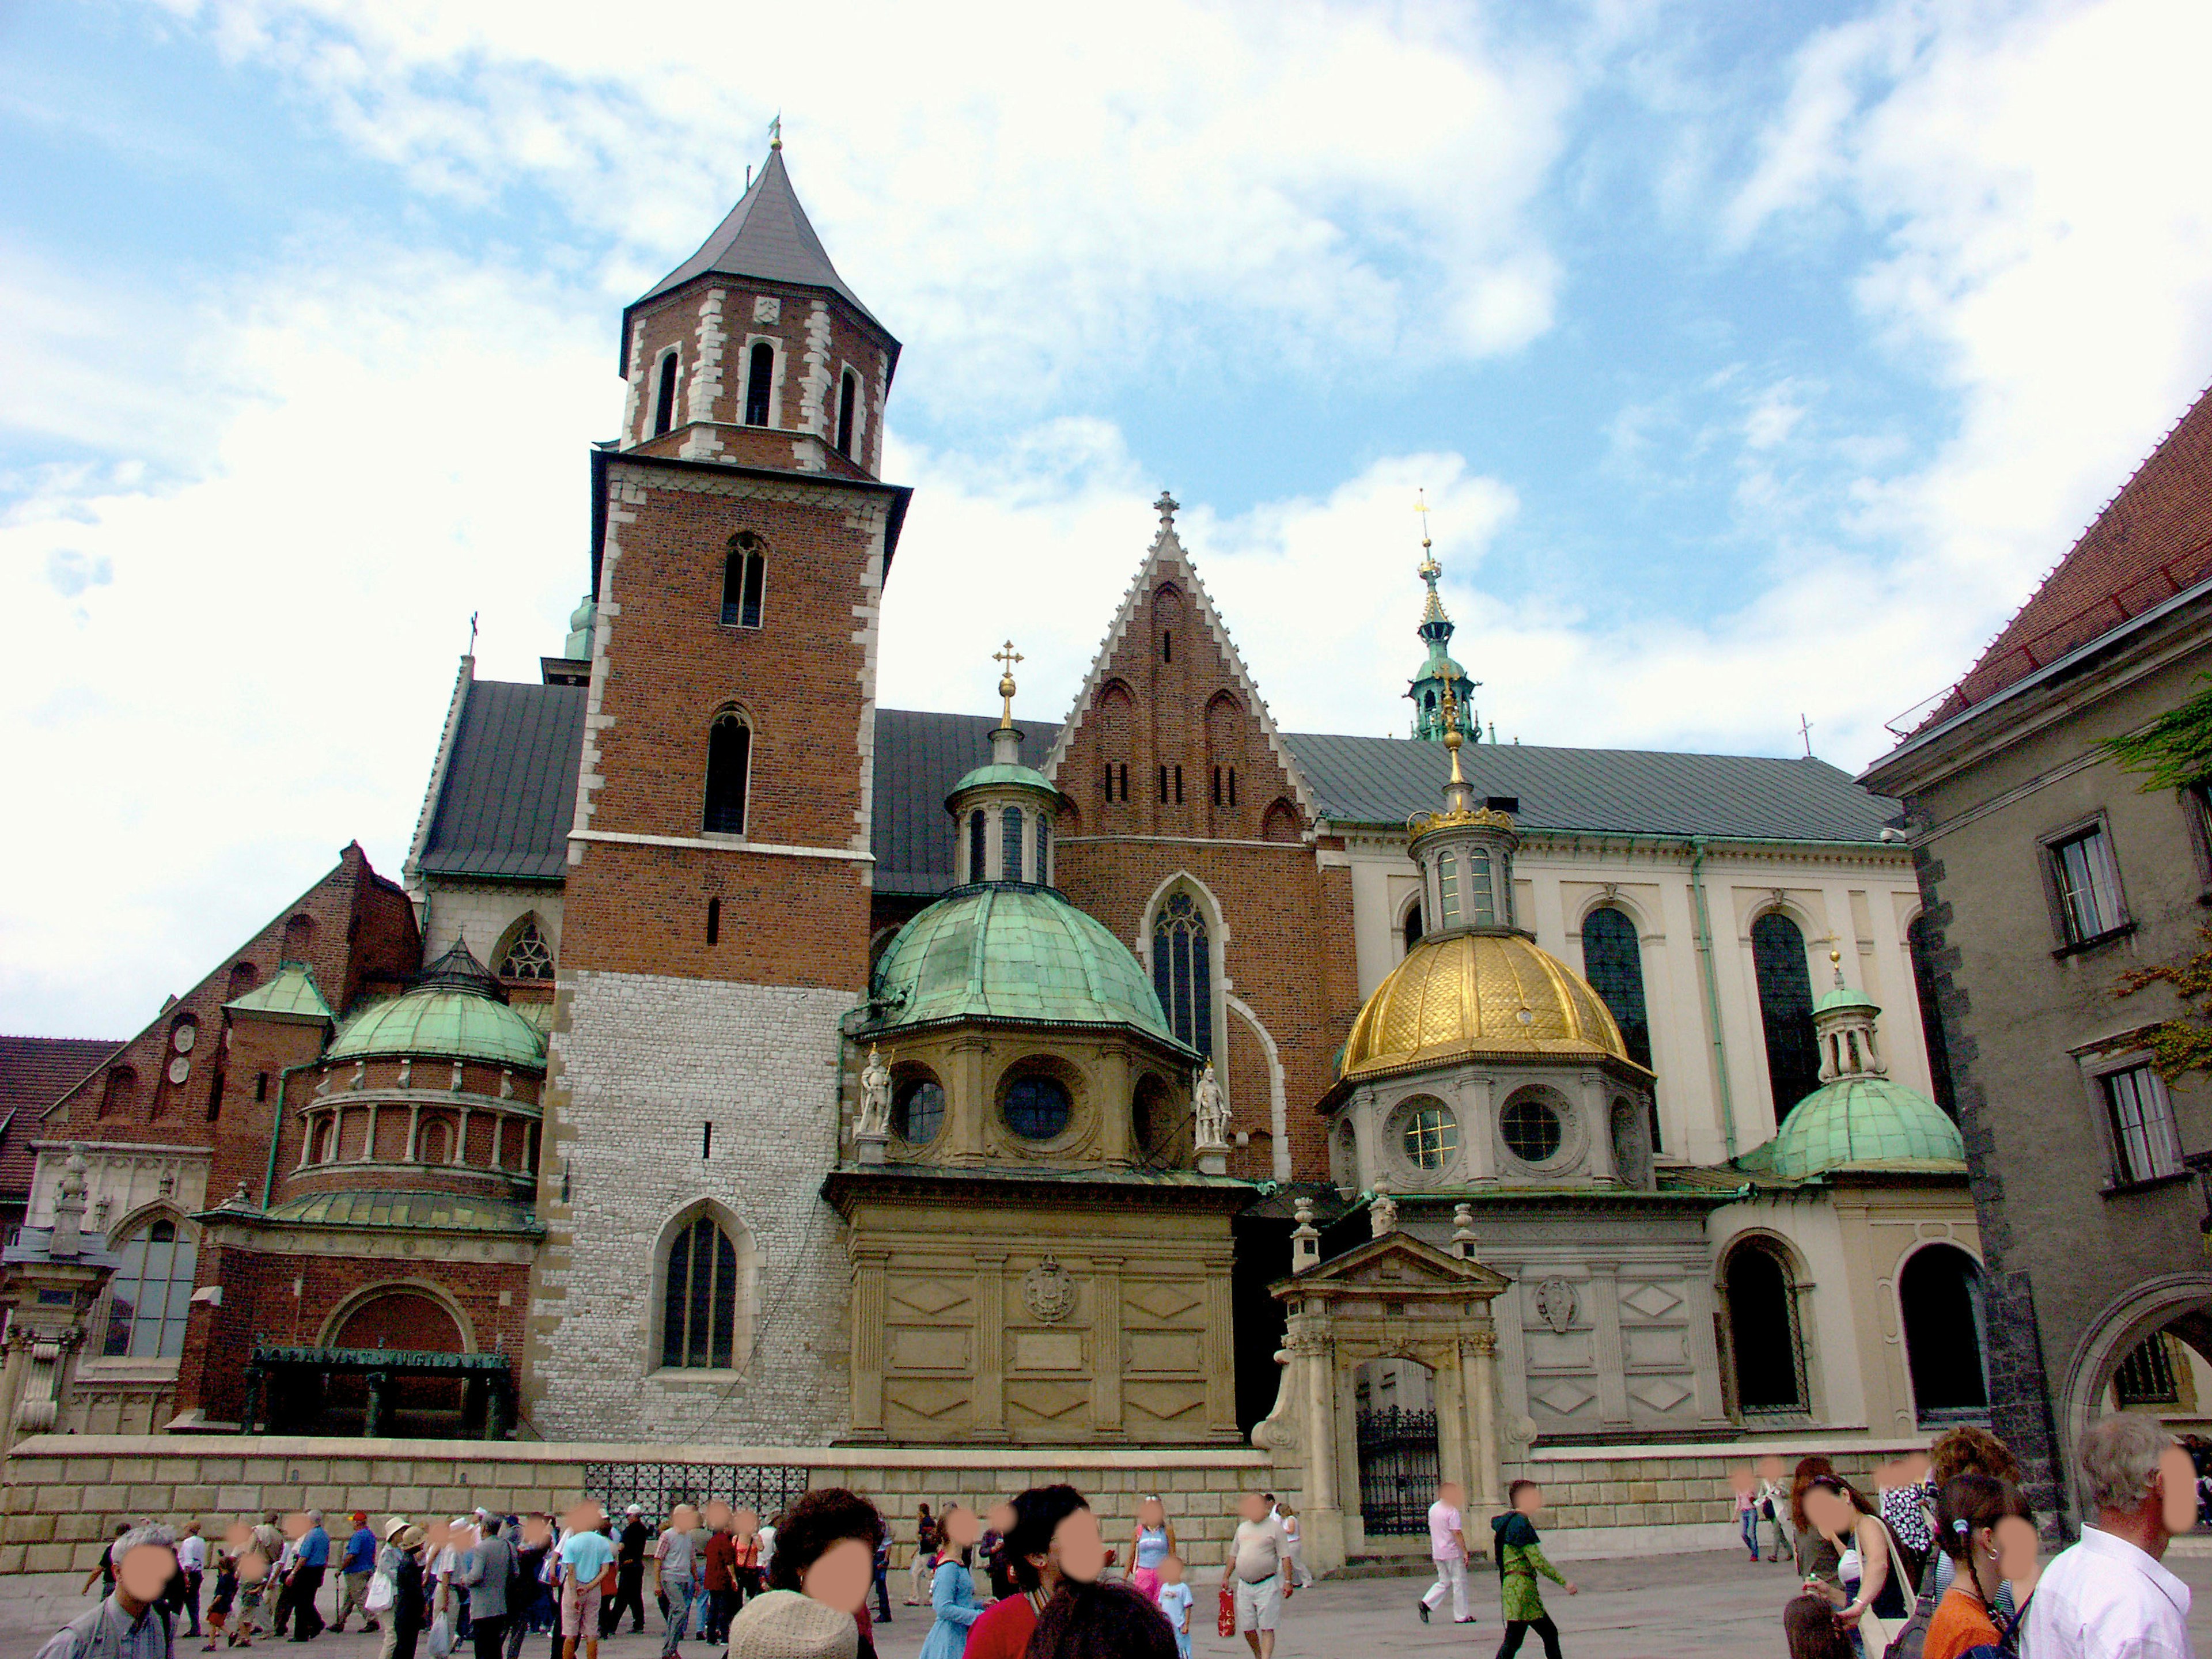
column 1479, row 994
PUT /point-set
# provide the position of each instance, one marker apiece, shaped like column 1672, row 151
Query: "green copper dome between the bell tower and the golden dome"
column 1014, row 954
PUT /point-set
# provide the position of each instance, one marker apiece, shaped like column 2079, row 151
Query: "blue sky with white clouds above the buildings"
column 1755, row 359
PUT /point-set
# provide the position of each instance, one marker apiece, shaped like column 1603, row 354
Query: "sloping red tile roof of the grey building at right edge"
column 2149, row 543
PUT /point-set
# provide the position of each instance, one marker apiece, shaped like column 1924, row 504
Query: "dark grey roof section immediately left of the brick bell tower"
column 510, row 791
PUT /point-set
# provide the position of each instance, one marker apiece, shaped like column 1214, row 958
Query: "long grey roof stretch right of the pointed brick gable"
column 1625, row 793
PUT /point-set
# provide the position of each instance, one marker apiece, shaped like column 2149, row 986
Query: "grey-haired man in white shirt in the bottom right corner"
column 2109, row 1598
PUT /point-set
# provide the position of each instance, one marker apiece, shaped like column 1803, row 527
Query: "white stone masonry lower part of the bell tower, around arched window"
column 643, row 1063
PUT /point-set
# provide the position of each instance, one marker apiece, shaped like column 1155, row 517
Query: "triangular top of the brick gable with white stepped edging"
column 1147, row 709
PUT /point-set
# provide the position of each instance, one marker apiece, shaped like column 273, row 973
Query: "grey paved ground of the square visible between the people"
column 1651, row 1607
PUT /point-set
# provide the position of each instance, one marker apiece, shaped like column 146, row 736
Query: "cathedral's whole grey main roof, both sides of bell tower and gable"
column 510, row 791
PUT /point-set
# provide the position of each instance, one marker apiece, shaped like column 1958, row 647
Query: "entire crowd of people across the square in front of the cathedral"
column 1941, row 1563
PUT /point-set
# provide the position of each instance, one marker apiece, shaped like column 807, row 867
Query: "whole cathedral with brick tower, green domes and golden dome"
column 740, row 1063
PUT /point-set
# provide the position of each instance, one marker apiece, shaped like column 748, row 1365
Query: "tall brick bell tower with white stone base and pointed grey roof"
column 718, row 895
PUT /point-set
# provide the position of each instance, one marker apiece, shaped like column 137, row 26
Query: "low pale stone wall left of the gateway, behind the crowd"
column 63, row 1494
